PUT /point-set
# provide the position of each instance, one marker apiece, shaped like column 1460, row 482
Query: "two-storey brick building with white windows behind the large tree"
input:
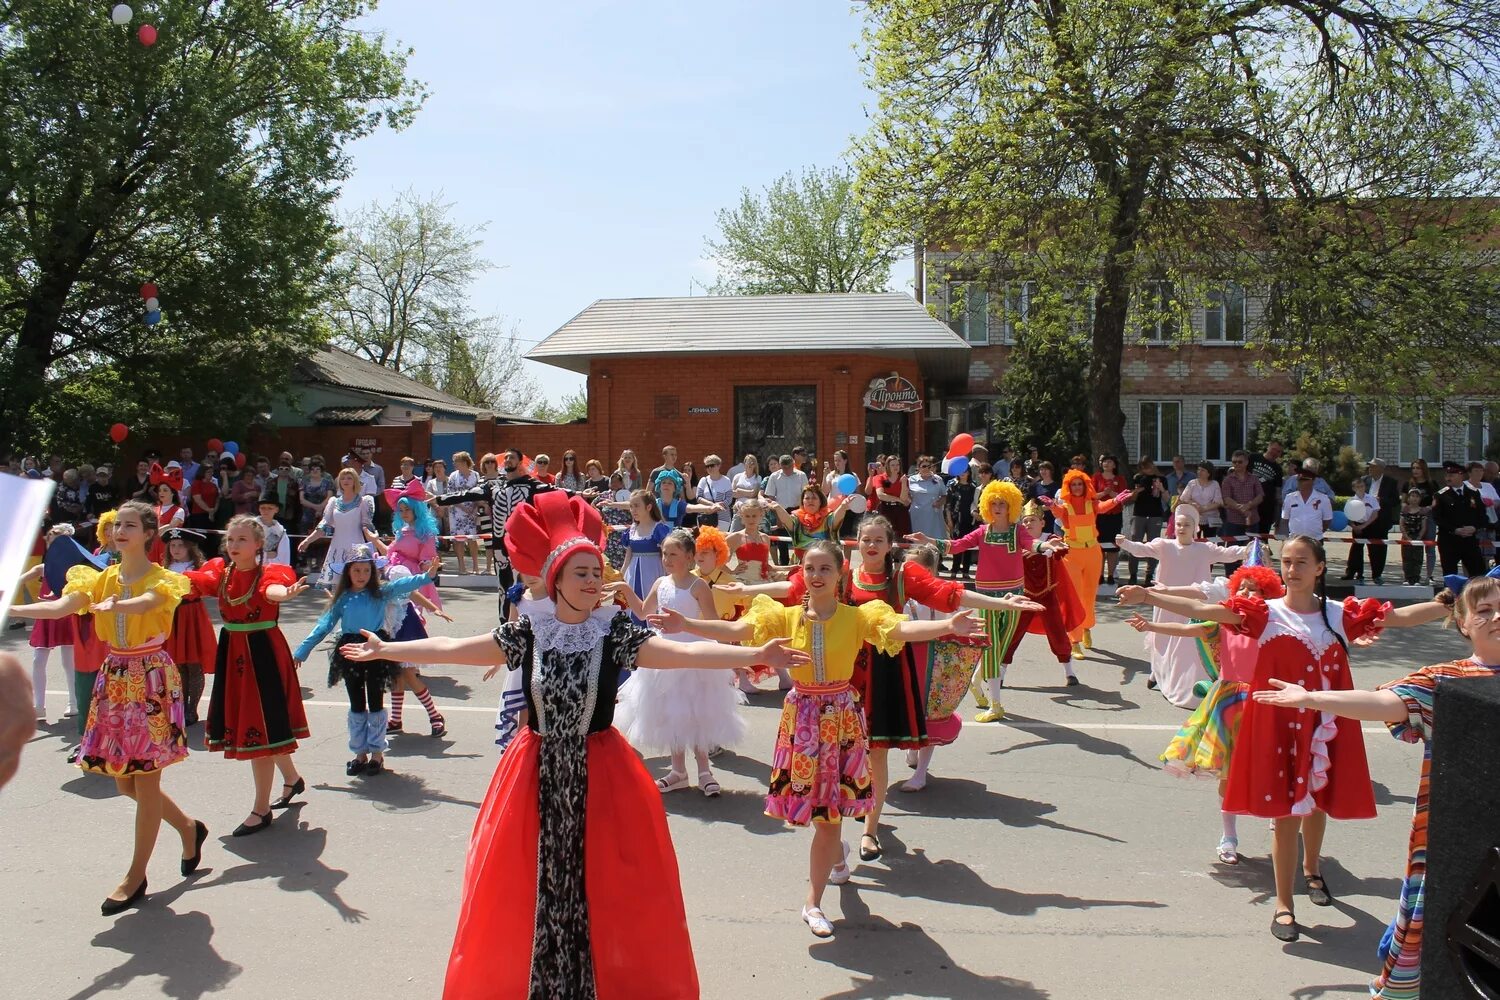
column 1193, row 388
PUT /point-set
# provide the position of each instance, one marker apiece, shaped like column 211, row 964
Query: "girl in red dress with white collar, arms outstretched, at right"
column 1292, row 765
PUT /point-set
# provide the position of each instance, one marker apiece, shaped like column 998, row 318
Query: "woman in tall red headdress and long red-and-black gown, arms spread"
column 571, row 890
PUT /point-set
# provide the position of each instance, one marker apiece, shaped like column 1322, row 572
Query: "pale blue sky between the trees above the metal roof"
column 598, row 140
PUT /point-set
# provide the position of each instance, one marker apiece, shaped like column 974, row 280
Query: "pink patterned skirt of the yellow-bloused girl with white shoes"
column 821, row 767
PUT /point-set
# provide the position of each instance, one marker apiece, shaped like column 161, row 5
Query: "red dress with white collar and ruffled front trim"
column 1294, row 762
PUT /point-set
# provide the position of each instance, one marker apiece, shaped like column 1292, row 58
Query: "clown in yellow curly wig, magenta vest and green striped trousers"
column 1001, row 543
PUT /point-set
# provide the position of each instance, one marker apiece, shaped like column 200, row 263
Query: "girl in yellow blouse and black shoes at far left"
column 136, row 725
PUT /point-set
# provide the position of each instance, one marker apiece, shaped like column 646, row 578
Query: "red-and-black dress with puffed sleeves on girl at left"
column 256, row 710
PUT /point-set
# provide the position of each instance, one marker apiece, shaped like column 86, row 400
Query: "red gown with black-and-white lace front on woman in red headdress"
column 571, row 890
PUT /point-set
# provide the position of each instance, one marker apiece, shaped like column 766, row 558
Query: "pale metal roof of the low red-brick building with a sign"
column 880, row 323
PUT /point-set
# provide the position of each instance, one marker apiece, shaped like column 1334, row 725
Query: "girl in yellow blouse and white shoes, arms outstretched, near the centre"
column 821, row 770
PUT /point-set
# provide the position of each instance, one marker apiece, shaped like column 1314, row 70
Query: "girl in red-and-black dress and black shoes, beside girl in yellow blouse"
column 256, row 711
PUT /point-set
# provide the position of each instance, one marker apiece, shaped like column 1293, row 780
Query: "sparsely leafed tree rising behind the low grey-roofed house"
column 404, row 275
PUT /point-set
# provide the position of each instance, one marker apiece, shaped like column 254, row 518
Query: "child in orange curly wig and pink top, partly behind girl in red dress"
column 1205, row 743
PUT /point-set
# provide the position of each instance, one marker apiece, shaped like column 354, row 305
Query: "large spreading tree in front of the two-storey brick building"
column 1337, row 155
